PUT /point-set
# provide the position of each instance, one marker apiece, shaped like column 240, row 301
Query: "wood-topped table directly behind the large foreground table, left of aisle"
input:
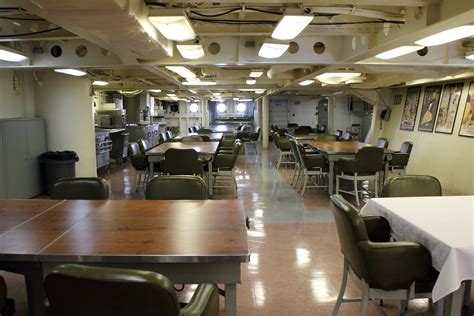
column 205, row 150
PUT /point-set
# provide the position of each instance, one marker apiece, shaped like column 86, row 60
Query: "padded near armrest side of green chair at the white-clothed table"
column 395, row 265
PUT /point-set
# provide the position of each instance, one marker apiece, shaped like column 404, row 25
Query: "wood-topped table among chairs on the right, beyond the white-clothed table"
column 334, row 150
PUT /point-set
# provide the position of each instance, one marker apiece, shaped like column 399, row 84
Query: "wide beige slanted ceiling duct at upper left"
column 119, row 26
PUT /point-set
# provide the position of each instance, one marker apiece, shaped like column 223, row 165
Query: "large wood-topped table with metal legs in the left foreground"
column 188, row 241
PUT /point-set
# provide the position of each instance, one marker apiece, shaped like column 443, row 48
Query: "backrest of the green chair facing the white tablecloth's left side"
column 351, row 230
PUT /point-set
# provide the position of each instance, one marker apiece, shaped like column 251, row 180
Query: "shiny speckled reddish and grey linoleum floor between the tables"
column 295, row 264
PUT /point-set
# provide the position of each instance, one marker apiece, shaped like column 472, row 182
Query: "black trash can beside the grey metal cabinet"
column 57, row 165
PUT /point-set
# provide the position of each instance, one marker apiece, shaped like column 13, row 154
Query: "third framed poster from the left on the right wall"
column 448, row 107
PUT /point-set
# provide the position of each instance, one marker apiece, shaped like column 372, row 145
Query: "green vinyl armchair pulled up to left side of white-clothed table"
column 379, row 268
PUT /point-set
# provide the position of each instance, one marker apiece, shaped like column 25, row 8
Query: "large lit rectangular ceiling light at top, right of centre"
column 291, row 24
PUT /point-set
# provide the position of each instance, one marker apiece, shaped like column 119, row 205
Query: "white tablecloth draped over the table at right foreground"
column 444, row 225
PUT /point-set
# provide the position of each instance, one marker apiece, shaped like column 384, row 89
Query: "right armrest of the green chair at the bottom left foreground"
column 205, row 301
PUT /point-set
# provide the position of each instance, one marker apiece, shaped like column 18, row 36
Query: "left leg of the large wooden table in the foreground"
column 35, row 293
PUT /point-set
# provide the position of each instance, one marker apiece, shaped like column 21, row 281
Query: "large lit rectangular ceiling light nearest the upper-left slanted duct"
column 173, row 24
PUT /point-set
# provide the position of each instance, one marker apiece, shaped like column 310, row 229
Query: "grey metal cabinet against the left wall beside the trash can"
column 23, row 142
